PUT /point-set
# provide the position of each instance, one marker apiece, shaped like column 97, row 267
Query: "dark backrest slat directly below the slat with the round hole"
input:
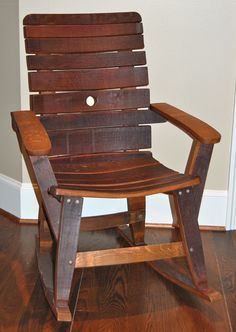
column 99, row 119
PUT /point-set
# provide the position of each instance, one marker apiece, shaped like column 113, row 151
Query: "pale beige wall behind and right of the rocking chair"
column 191, row 49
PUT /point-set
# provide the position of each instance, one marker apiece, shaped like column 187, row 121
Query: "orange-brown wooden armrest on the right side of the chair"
column 194, row 127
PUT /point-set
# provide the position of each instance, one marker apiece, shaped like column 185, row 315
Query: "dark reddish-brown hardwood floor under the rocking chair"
column 124, row 298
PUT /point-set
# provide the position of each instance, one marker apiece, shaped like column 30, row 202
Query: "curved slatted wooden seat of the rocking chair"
column 120, row 174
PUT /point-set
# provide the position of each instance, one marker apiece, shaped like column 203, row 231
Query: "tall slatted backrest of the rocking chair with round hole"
column 88, row 75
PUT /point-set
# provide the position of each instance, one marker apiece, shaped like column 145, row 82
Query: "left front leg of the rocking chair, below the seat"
column 66, row 254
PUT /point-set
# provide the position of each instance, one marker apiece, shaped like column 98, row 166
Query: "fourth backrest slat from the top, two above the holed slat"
column 91, row 60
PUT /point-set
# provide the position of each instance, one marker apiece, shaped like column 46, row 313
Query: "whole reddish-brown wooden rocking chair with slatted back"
column 86, row 136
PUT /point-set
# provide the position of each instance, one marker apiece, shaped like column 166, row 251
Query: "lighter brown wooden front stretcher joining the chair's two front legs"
column 129, row 255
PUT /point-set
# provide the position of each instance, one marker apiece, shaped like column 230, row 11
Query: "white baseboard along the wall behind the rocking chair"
column 19, row 199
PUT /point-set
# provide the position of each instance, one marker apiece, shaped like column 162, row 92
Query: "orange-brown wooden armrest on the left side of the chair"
column 32, row 133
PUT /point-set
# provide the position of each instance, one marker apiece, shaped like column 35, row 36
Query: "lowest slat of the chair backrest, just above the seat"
column 100, row 140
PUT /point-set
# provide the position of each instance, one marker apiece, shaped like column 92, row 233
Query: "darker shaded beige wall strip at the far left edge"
column 11, row 164
